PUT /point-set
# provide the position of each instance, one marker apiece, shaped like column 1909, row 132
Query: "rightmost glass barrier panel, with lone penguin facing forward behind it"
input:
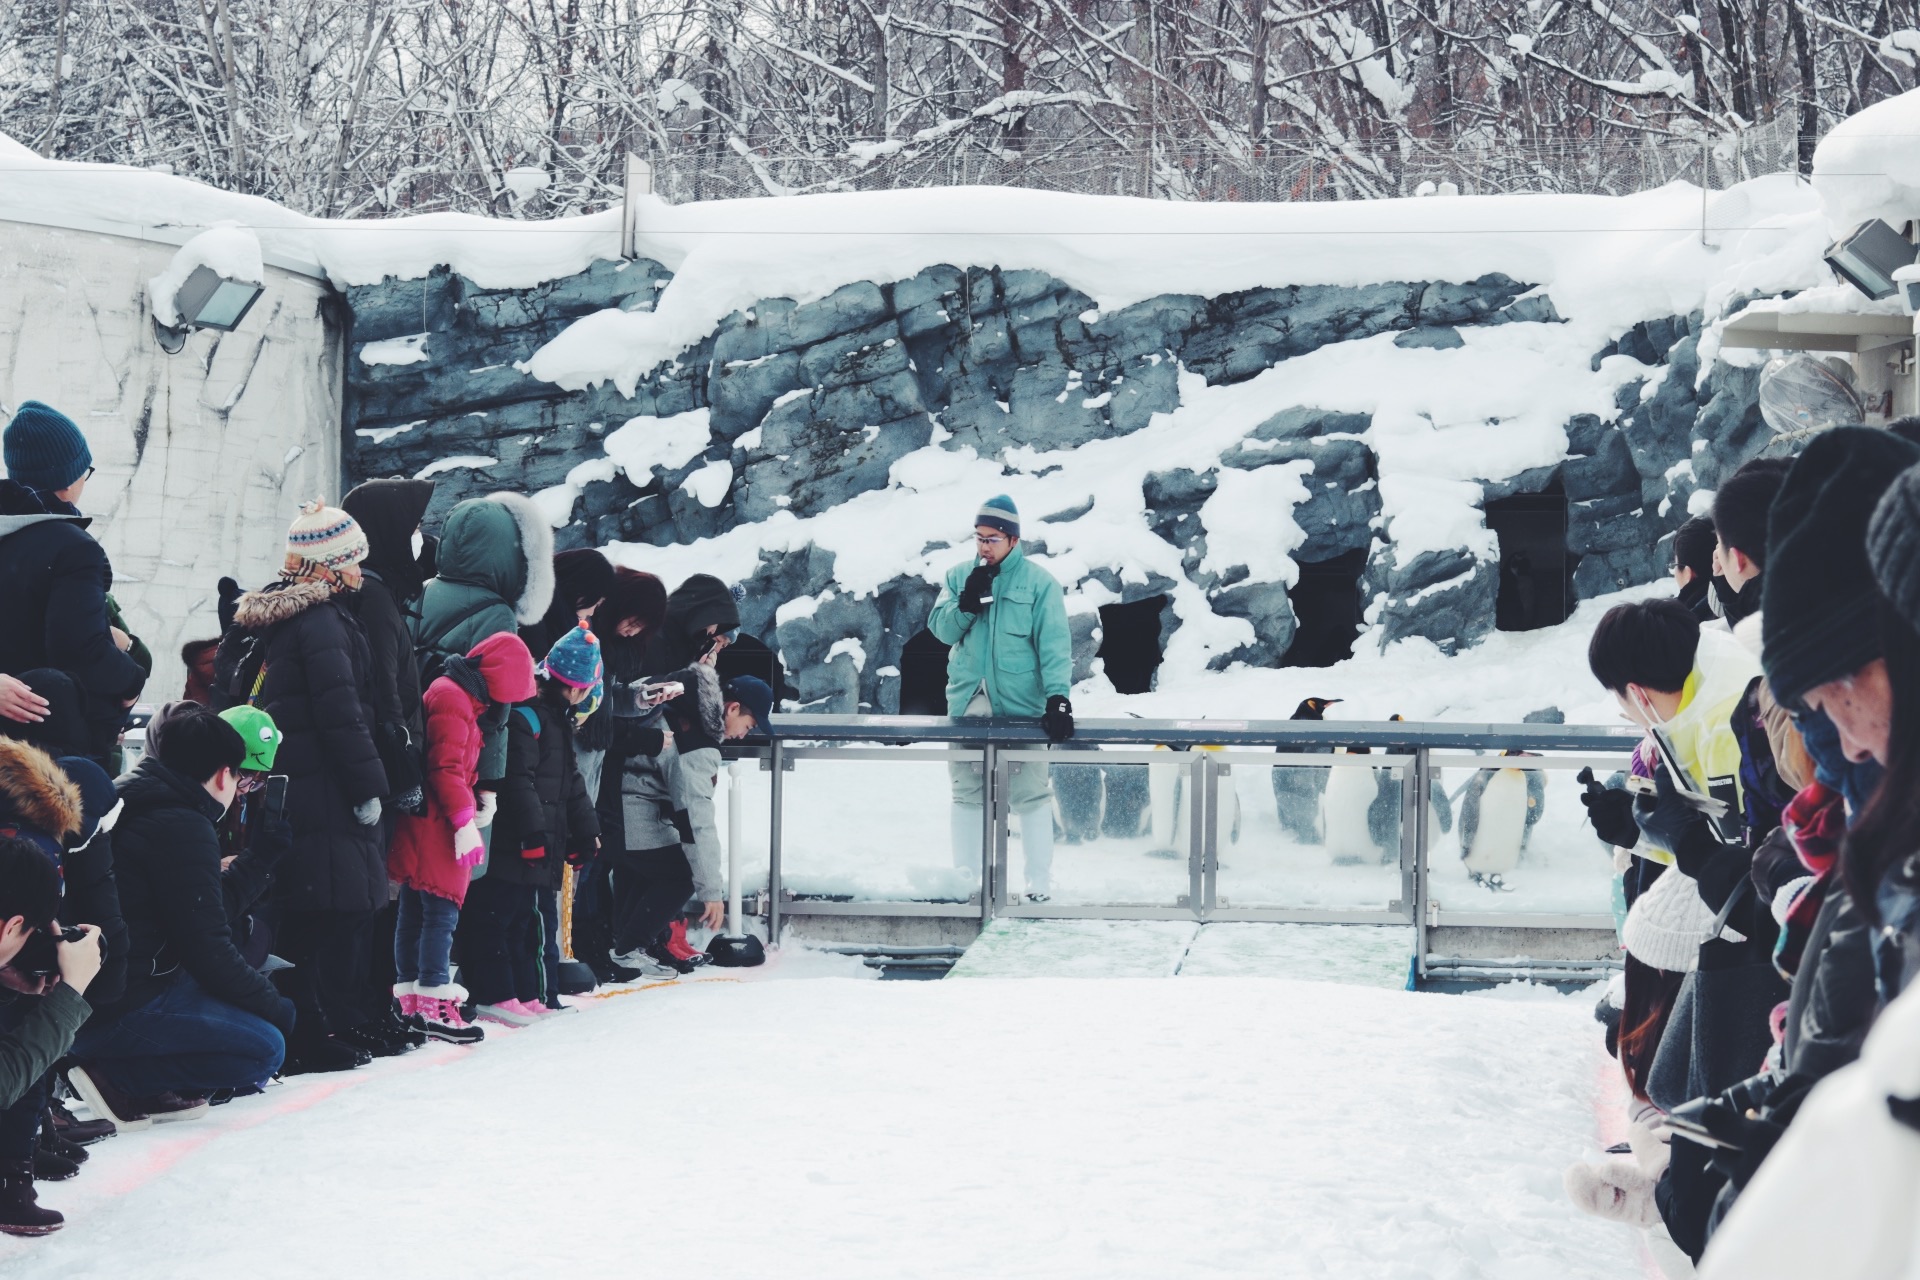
column 1516, row 840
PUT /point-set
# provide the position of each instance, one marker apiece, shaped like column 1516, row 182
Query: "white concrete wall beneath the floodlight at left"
column 203, row 456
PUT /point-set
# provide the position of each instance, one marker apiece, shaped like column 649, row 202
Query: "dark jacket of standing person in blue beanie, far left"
column 55, row 581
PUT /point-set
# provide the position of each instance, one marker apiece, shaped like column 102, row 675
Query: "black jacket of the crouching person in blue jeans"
column 170, row 888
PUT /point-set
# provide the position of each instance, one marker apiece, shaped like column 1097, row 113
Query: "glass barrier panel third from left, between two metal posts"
column 1308, row 838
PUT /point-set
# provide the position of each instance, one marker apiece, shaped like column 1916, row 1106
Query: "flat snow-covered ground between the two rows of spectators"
column 848, row 1129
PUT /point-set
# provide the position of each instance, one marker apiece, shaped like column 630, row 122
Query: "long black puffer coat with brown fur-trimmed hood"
column 320, row 692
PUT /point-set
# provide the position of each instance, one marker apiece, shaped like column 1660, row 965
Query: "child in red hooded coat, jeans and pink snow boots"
column 433, row 855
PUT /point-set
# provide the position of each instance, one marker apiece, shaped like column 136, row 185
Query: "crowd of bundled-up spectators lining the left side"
column 404, row 761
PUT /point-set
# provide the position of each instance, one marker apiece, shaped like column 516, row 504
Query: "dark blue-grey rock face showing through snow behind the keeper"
column 798, row 408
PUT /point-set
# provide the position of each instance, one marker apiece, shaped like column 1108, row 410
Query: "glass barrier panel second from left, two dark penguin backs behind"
column 1116, row 834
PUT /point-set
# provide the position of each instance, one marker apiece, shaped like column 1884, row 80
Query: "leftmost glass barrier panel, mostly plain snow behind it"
column 880, row 830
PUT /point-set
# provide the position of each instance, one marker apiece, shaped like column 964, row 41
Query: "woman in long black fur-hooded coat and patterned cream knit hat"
column 304, row 659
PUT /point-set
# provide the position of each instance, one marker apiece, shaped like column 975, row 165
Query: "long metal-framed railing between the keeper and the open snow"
column 1199, row 761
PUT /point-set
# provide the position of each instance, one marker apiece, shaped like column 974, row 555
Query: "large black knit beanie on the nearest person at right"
column 1819, row 588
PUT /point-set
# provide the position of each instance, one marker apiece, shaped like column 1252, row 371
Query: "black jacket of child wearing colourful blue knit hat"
column 542, row 801
